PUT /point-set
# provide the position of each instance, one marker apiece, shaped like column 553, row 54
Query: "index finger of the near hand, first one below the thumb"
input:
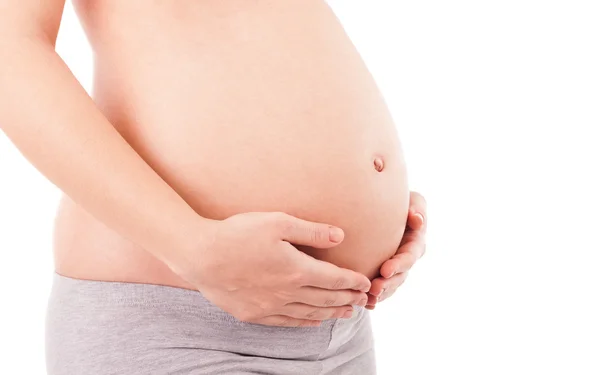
column 325, row 275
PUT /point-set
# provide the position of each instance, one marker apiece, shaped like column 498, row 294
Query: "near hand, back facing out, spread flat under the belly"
column 248, row 267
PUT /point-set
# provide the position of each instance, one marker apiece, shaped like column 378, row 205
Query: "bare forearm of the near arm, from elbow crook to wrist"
column 57, row 127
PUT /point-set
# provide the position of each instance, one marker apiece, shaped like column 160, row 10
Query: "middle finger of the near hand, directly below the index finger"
column 318, row 297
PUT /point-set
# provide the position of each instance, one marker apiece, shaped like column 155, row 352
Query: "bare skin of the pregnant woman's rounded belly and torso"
column 241, row 106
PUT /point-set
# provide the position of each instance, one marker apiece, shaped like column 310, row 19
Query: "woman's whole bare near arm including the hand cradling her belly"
column 56, row 126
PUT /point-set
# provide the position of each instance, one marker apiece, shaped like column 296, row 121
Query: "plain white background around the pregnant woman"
column 498, row 107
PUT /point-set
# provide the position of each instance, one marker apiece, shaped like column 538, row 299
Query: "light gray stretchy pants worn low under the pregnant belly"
column 105, row 328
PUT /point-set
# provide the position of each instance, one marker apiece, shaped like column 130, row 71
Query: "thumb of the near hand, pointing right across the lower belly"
column 301, row 232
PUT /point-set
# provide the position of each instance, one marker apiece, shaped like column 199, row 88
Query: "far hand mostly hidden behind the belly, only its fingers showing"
column 412, row 247
